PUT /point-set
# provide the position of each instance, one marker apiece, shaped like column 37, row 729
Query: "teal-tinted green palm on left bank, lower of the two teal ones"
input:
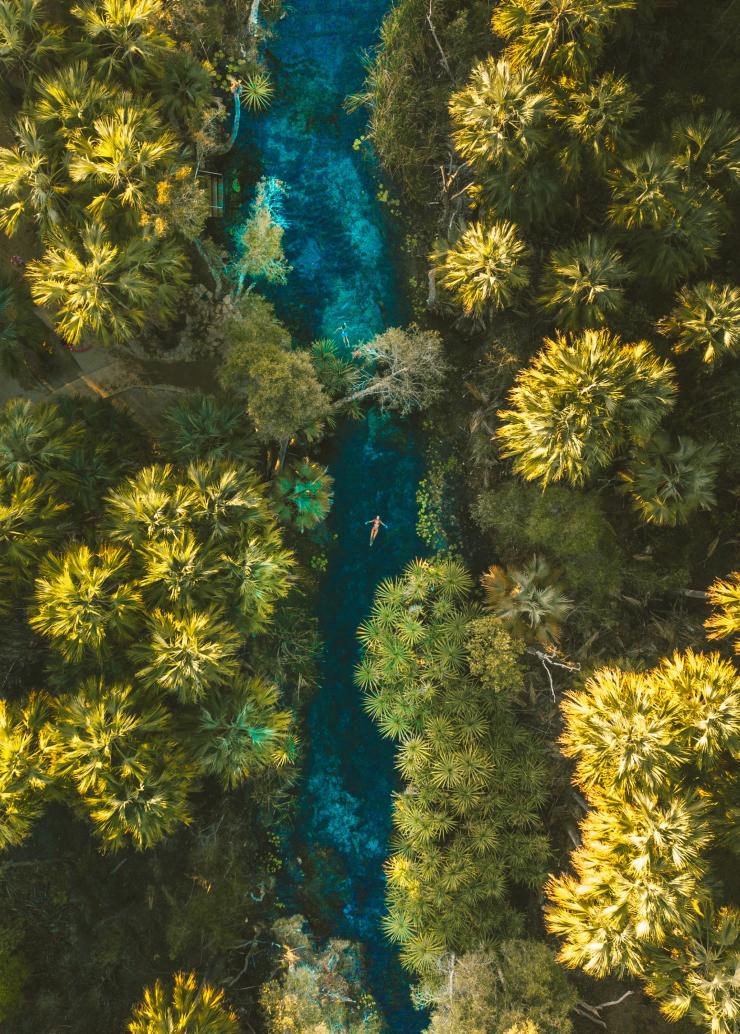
column 240, row 731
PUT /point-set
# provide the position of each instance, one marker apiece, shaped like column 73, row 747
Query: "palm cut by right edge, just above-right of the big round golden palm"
column 706, row 319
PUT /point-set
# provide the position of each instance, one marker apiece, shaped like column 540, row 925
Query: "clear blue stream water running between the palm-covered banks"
column 345, row 252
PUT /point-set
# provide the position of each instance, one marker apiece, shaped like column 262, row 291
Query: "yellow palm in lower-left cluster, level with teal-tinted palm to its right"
column 104, row 732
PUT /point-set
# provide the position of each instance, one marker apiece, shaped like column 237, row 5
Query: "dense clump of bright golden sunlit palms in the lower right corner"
column 652, row 751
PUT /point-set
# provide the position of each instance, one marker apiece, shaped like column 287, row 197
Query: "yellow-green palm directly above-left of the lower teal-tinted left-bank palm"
column 189, row 656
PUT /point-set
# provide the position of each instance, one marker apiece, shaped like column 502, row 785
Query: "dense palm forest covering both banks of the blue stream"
column 559, row 677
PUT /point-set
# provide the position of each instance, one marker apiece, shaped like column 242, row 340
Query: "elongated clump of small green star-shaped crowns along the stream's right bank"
column 468, row 823
